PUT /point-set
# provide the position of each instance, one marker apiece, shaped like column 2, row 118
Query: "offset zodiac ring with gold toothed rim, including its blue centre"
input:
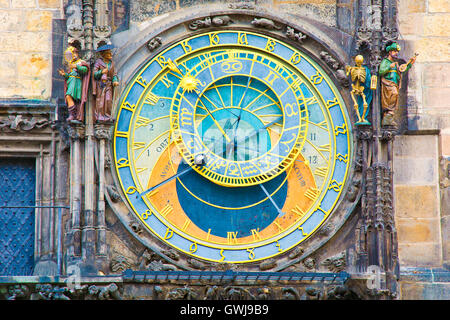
column 239, row 113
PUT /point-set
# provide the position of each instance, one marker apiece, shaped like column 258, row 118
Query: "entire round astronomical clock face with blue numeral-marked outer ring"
column 232, row 146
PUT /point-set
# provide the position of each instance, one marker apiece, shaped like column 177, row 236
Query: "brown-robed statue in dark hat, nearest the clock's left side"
column 105, row 80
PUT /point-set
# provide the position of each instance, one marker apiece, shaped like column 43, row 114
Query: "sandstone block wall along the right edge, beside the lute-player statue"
column 421, row 178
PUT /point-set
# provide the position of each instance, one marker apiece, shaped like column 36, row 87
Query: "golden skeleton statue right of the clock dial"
column 361, row 89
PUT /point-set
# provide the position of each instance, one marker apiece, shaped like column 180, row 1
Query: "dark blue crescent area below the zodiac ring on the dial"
column 220, row 220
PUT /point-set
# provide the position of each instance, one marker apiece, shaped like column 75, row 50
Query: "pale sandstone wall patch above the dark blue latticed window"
column 26, row 47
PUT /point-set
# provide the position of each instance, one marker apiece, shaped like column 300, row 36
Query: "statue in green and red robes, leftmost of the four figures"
column 76, row 83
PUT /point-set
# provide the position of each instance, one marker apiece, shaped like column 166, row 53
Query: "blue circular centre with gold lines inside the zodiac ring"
column 243, row 119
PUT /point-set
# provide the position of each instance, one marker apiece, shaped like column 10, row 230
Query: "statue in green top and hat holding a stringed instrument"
column 391, row 77
